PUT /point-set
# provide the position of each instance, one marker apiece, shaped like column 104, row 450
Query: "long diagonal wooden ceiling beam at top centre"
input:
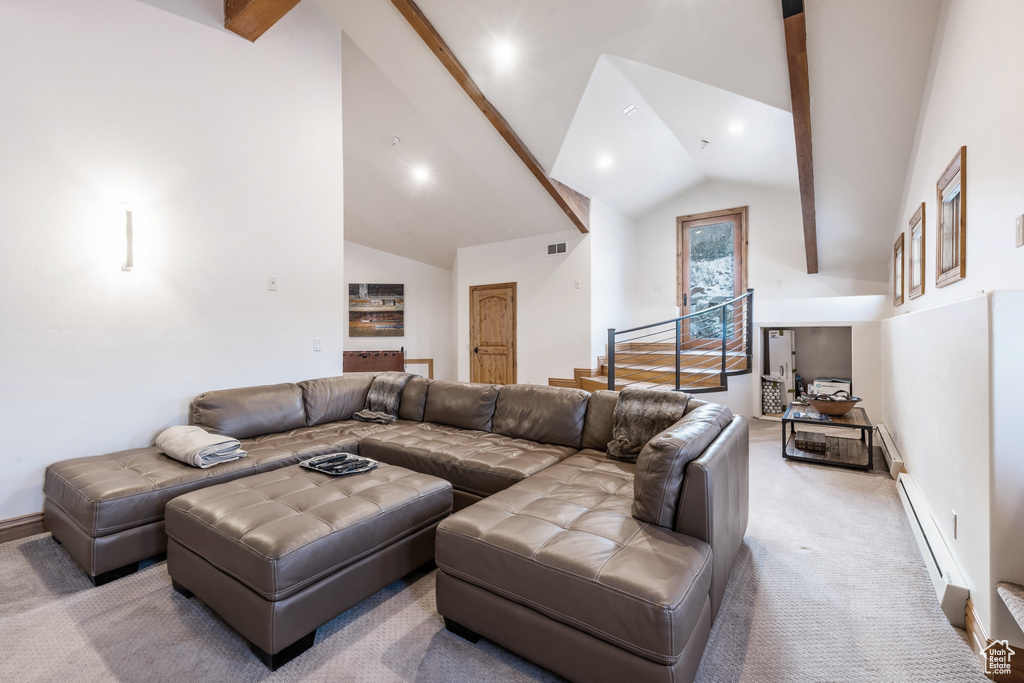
column 576, row 206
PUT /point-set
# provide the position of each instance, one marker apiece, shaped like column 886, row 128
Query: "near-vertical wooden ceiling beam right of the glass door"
column 796, row 50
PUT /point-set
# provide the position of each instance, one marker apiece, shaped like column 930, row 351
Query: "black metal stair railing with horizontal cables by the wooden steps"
column 696, row 353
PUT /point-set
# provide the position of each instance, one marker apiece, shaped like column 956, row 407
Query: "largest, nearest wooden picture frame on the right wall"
column 951, row 233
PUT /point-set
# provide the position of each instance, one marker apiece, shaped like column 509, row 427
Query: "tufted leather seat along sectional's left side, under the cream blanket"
column 121, row 491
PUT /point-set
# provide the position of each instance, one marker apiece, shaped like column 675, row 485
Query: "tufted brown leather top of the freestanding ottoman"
column 280, row 532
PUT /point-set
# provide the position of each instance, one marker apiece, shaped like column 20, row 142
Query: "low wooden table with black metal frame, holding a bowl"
column 841, row 451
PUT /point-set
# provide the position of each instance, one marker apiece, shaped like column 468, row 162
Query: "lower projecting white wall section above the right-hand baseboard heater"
column 936, row 365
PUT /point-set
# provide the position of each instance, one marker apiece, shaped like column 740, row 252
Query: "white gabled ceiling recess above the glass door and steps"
column 679, row 134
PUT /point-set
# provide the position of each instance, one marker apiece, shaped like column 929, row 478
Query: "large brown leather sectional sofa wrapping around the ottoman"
column 595, row 569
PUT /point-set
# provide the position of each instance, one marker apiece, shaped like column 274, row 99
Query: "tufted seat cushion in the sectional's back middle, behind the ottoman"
column 478, row 462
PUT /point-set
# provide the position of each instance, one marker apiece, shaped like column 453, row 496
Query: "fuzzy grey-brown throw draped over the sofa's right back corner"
column 639, row 415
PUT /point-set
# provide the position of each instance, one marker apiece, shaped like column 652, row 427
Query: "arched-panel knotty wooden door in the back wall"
column 492, row 334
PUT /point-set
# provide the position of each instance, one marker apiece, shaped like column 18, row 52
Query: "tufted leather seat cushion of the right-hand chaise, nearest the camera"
column 565, row 544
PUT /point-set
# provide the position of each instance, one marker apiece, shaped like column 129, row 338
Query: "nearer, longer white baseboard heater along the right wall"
column 950, row 585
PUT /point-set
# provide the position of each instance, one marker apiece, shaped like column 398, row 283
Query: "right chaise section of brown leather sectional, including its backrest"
column 603, row 571
